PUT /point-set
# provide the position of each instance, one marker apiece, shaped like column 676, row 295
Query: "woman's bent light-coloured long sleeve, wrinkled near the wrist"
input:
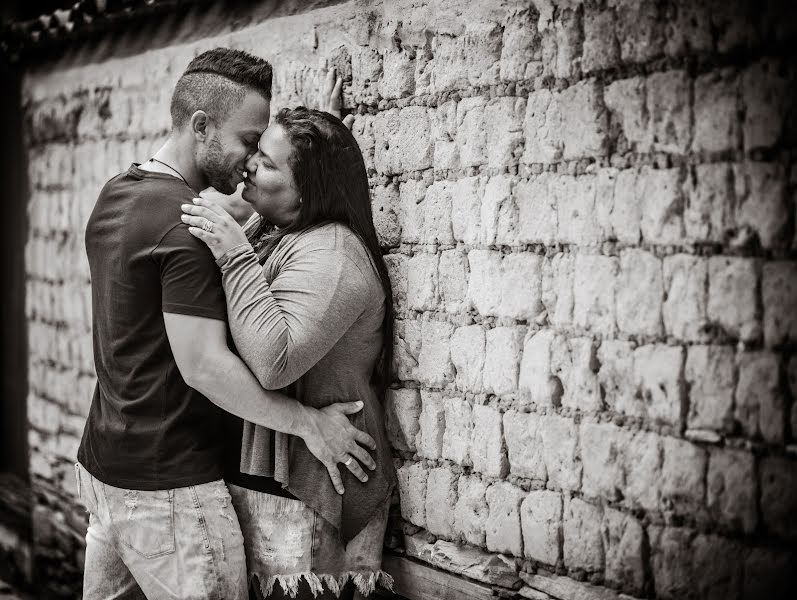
column 283, row 329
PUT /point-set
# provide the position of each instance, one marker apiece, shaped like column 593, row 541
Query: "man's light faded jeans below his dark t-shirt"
column 183, row 543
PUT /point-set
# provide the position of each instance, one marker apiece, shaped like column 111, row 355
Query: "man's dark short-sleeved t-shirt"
column 146, row 428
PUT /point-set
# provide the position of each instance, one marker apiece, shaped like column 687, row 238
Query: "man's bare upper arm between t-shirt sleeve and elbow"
column 194, row 340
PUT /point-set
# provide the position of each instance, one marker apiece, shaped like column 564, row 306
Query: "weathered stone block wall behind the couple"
column 589, row 209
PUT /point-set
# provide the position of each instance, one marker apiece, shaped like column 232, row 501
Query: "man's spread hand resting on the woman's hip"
column 332, row 439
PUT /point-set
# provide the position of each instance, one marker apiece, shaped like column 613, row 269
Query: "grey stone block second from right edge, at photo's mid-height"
column 732, row 299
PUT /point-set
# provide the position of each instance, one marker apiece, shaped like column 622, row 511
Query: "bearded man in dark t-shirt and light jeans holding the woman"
column 150, row 470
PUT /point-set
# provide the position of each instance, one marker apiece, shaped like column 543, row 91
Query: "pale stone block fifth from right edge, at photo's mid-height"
column 594, row 284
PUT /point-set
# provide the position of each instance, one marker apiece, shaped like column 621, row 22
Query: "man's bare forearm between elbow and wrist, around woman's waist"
column 226, row 381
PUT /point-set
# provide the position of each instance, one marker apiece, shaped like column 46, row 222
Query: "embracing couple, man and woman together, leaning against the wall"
column 198, row 475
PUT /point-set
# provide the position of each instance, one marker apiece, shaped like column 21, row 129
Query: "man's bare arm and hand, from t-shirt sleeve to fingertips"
column 206, row 364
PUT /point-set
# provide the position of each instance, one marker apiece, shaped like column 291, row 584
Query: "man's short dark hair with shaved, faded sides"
column 216, row 81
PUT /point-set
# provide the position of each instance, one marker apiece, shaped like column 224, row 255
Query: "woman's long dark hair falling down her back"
column 329, row 171
